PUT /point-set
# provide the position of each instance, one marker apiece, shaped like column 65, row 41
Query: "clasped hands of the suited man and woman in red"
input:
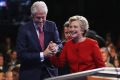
column 51, row 49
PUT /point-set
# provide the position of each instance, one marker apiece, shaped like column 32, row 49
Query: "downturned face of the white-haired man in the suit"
column 39, row 19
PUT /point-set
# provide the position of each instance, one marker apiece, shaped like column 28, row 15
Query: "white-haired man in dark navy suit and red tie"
column 32, row 52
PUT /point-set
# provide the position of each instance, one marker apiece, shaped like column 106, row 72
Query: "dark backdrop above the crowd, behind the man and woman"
column 103, row 15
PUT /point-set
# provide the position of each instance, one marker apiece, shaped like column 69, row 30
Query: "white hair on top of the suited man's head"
column 39, row 6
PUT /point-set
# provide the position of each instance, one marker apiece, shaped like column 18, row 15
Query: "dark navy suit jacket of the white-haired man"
column 28, row 49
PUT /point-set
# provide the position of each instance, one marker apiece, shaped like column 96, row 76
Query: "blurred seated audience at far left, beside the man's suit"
column 9, row 64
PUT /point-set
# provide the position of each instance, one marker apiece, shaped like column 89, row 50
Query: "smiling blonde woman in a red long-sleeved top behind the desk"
column 81, row 53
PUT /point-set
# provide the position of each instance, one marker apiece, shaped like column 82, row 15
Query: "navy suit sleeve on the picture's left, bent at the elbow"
column 25, row 54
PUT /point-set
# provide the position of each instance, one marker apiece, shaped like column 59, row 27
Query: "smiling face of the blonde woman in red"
column 75, row 29
